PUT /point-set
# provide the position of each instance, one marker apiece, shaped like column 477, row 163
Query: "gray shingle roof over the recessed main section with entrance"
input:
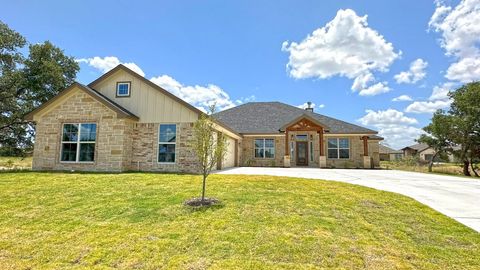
column 269, row 117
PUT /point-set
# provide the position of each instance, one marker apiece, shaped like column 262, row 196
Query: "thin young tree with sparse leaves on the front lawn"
column 210, row 146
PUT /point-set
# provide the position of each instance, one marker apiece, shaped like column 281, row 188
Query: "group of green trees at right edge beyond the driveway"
column 457, row 131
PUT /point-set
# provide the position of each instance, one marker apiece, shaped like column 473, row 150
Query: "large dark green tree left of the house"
column 27, row 82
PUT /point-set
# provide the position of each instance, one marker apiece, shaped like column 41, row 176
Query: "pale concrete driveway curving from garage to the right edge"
column 456, row 197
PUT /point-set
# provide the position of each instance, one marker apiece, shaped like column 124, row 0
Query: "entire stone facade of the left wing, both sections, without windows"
column 121, row 144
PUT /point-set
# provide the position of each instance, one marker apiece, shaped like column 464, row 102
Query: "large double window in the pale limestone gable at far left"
column 78, row 142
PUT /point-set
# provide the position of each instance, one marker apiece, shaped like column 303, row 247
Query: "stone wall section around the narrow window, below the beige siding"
column 145, row 149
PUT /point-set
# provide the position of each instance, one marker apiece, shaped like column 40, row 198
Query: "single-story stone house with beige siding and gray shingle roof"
column 122, row 121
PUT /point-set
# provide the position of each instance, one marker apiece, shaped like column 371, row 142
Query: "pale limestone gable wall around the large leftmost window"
column 112, row 145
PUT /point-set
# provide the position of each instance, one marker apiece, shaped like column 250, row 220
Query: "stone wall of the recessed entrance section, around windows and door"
column 355, row 160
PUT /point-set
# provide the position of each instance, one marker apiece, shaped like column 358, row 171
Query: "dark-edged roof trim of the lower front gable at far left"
column 121, row 112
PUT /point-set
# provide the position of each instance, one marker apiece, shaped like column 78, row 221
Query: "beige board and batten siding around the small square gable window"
column 146, row 102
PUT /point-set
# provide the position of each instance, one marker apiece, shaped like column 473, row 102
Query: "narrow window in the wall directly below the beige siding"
column 167, row 139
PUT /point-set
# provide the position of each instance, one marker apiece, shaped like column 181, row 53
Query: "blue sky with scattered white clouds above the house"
column 341, row 55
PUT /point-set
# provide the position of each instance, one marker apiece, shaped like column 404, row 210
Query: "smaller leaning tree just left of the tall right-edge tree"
column 439, row 134
